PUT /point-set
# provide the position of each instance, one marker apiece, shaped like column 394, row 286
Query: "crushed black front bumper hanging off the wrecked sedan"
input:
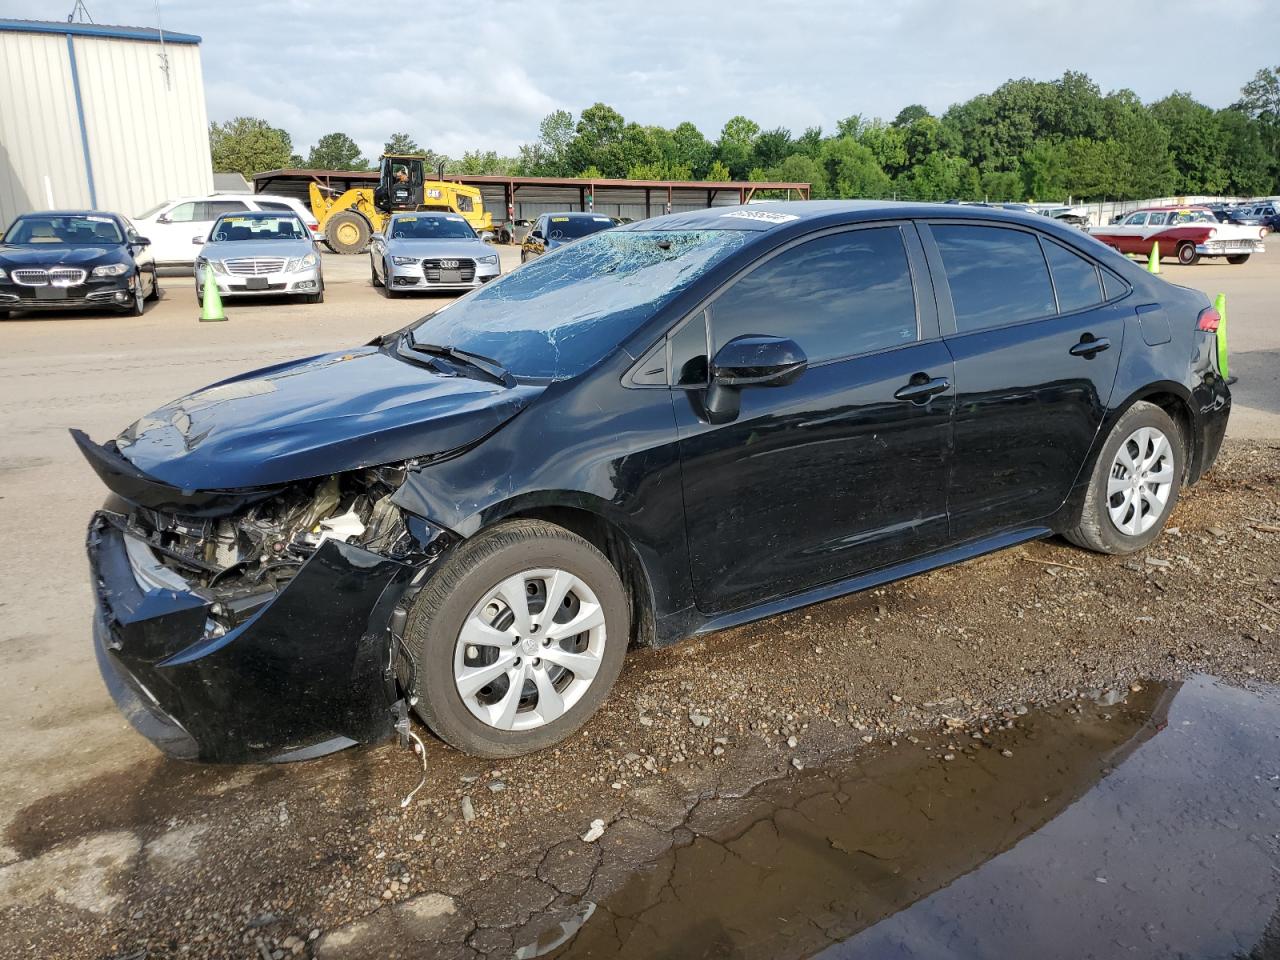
column 310, row 671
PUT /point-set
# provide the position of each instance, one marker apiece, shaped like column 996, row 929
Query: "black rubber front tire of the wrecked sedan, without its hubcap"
column 444, row 606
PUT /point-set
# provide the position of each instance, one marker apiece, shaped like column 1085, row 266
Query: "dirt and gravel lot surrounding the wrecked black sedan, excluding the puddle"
column 109, row 851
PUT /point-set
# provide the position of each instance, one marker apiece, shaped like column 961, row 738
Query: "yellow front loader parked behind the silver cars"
column 350, row 218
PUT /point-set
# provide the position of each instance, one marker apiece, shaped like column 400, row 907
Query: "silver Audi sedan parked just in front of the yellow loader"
column 431, row 252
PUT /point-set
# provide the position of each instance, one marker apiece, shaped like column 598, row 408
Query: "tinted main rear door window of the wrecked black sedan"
column 996, row 276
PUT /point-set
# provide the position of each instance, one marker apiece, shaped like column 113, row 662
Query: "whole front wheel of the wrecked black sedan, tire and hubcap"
column 518, row 639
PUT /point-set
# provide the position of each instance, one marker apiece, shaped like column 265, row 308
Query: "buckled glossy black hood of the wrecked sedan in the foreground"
column 313, row 418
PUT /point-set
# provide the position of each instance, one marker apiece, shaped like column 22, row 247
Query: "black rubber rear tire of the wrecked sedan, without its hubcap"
column 1095, row 529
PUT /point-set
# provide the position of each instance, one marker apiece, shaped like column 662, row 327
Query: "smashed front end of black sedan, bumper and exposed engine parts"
column 257, row 625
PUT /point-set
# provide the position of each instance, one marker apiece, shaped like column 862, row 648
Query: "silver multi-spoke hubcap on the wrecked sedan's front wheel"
column 531, row 650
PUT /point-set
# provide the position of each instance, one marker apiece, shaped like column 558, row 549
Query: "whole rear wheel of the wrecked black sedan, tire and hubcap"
column 1135, row 484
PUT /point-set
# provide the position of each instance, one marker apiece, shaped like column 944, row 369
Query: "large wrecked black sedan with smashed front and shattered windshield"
column 664, row 429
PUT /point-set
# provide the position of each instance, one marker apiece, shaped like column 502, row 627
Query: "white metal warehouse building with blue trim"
column 99, row 117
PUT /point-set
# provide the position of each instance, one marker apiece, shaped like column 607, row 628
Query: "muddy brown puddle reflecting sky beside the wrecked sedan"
column 1146, row 829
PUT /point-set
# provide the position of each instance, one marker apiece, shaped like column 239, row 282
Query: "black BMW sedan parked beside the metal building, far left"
column 75, row 259
